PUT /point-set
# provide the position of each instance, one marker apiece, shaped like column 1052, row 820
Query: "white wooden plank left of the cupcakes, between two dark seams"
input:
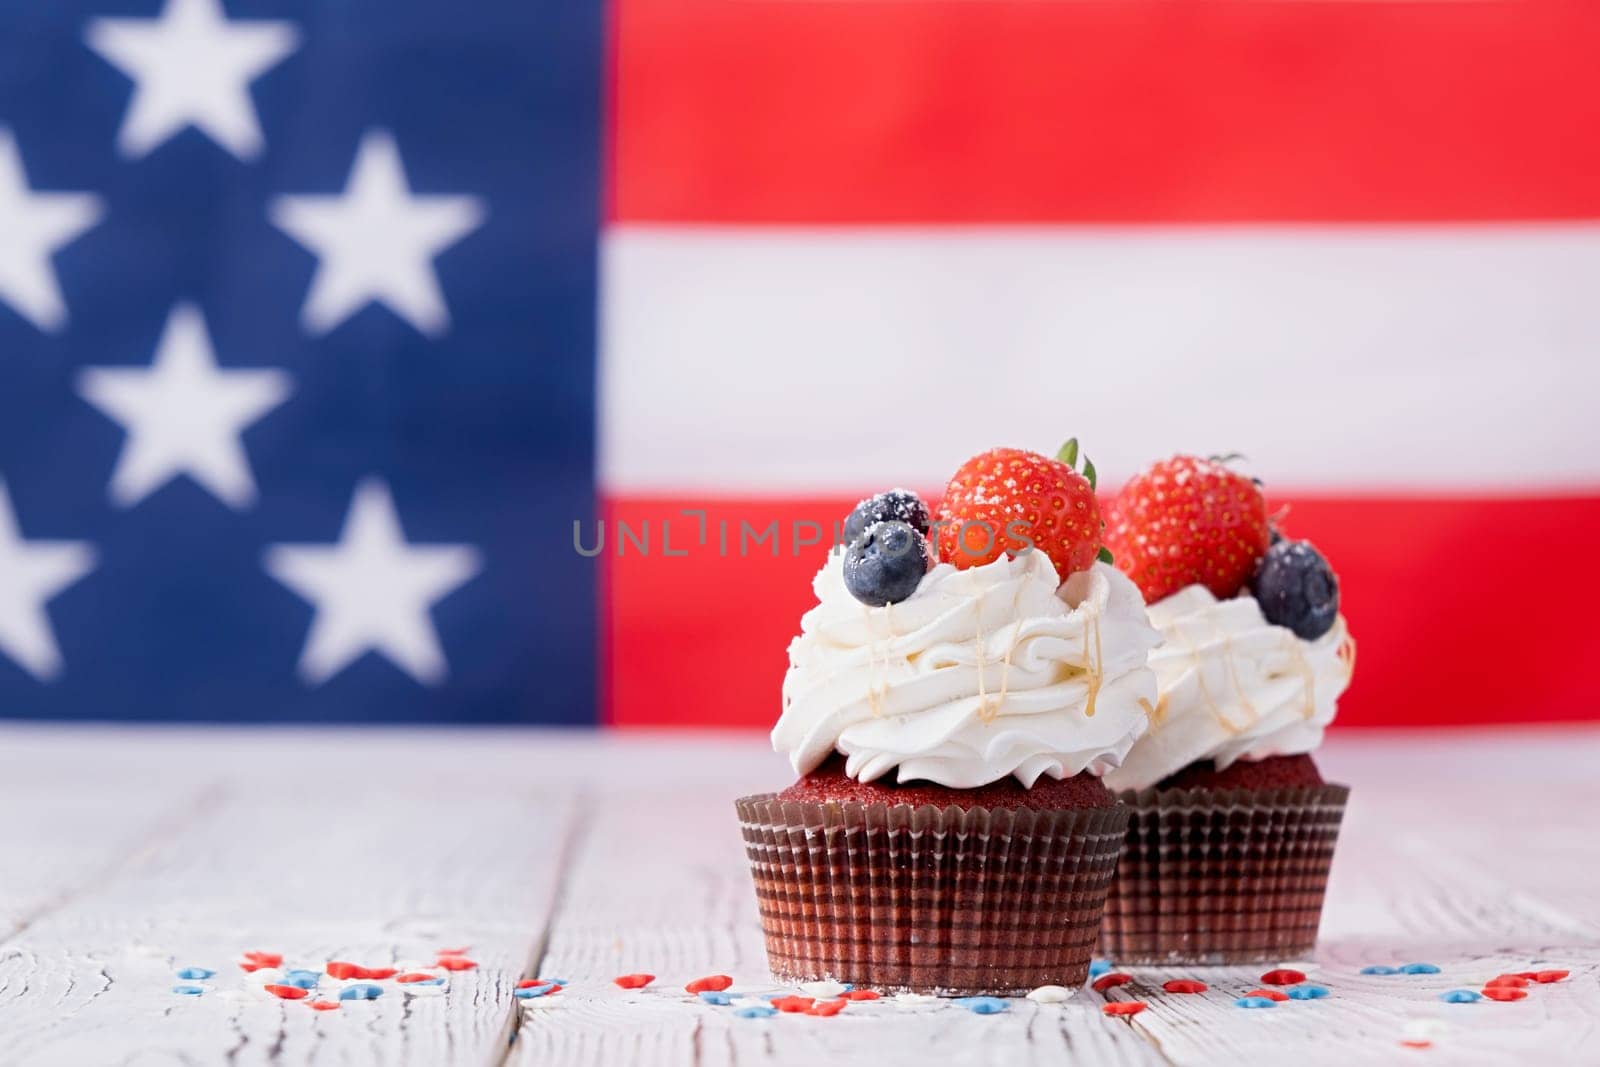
column 369, row 868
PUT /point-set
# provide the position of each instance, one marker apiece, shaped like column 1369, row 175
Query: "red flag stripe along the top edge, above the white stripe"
column 860, row 111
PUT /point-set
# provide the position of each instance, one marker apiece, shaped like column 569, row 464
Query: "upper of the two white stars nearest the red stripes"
column 377, row 242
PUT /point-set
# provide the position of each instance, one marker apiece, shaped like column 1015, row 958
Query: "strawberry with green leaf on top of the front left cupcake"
column 1009, row 500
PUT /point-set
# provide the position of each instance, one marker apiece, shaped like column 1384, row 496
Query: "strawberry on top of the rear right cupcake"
column 1190, row 521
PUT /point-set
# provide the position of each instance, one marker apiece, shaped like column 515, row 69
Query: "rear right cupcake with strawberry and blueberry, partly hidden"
column 1231, row 825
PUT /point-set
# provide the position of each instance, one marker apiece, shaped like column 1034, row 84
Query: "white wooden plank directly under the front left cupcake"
column 660, row 885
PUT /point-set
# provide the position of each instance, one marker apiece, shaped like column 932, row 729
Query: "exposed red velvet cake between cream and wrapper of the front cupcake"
column 1049, row 794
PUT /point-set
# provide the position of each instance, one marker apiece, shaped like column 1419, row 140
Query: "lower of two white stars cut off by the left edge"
column 31, row 573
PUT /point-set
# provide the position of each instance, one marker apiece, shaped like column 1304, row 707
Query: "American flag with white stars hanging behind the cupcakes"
column 492, row 362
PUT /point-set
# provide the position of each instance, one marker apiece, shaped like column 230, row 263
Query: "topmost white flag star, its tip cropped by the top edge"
column 193, row 68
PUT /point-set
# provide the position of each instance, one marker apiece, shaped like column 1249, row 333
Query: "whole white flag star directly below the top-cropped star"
column 183, row 415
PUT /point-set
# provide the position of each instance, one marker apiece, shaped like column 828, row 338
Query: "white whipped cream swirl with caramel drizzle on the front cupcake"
column 983, row 673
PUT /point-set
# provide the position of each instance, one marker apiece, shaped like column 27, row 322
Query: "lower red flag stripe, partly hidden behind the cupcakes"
column 1465, row 610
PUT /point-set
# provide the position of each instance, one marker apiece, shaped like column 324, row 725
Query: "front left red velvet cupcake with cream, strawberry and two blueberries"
column 951, row 706
